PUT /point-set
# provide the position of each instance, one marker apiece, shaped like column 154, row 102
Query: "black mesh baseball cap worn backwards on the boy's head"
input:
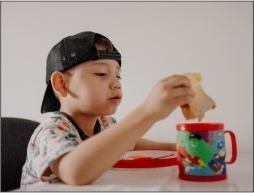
column 71, row 51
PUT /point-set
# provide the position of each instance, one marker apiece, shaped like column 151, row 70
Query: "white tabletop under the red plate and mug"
column 240, row 178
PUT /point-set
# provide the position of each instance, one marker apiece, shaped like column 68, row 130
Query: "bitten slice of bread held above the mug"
column 201, row 102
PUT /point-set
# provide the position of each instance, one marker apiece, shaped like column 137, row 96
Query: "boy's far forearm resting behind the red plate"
column 149, row 144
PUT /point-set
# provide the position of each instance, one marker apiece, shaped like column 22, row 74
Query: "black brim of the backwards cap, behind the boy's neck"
column 50, row 103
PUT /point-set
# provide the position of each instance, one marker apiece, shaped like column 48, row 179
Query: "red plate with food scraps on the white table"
column 147, row 159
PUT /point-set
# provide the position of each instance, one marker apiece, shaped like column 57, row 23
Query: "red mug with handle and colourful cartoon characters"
column 201, row 151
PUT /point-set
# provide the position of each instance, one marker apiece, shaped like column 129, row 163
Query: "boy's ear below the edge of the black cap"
column 58, row 82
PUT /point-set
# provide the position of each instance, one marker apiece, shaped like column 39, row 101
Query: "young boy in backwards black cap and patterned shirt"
column 75, row 144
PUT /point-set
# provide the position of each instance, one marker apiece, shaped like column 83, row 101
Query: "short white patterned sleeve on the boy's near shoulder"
column 54, row 139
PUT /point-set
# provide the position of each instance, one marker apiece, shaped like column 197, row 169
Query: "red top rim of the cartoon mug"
column 200, row 126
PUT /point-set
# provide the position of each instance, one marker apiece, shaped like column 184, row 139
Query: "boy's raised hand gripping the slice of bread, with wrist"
column 166, row 95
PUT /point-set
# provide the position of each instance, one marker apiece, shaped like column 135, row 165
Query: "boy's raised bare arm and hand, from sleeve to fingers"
column 94, row 156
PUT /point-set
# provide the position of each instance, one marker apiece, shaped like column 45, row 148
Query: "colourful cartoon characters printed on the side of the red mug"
column 197, row 153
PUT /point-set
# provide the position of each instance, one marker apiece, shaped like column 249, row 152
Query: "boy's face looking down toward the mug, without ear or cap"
column 94, row 87
